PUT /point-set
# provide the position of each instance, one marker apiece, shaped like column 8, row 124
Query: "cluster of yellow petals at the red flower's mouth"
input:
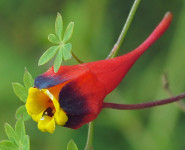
column 44, row 108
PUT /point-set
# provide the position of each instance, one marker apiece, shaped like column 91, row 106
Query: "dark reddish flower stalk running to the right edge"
column 144, row 105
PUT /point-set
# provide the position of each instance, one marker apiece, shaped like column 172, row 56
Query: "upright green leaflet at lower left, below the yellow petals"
column 20, row 130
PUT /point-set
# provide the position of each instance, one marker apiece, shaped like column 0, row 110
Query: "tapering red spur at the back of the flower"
column 111, row 72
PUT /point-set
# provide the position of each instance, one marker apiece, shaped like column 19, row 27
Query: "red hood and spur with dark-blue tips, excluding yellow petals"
column 81, row 89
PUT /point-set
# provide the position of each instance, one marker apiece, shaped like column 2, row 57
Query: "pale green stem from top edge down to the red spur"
column 116, row 47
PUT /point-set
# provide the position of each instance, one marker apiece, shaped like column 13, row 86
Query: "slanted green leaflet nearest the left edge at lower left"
column 10, row 133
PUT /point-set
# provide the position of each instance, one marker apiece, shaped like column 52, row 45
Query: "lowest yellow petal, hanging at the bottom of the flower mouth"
column 46, row 124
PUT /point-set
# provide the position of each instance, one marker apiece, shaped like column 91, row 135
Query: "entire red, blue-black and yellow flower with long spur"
column 74, row 95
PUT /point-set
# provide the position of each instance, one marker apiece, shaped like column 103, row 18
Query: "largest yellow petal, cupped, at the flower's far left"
column 37, row 101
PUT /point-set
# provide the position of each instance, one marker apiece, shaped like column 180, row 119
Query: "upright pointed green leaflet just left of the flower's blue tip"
column 27, row 79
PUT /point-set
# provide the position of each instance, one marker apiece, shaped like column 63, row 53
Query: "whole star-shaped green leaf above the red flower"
column 62, row 50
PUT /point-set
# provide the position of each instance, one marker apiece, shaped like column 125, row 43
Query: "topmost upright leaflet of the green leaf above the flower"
column 59, row 26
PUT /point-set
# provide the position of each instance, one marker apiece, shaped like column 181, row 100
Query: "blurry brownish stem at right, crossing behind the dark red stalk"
column 180, row 104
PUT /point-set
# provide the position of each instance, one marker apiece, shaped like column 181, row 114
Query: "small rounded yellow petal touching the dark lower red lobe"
column 60, row 117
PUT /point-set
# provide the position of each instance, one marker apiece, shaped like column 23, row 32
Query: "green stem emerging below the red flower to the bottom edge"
column 90, row 137
